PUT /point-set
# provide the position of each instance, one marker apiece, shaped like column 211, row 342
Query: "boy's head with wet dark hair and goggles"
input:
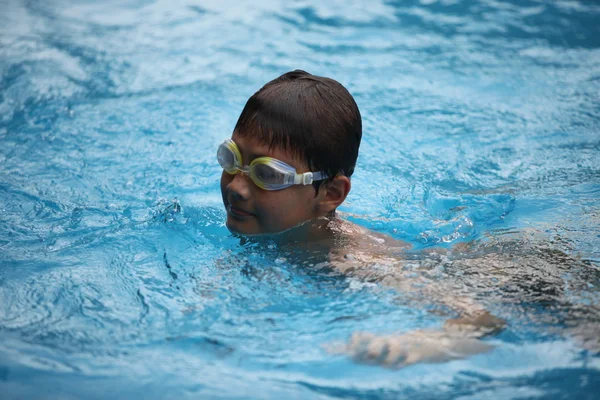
column 308, row 122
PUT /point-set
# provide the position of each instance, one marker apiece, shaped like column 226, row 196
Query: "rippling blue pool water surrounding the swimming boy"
column 119, row 280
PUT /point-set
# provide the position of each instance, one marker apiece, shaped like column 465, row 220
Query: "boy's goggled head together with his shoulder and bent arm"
column 287, row 168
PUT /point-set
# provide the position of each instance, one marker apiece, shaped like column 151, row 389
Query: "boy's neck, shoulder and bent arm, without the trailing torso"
column 358, row 253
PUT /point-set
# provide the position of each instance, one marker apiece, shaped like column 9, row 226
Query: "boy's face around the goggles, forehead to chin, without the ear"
column 252, row 210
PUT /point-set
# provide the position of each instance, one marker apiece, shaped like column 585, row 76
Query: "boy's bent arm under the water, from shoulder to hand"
column 378, row 258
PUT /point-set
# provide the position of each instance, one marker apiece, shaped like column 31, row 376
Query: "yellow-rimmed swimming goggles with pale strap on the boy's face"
column 266, row 172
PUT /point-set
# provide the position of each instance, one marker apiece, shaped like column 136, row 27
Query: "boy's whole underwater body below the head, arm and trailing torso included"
column 461, row 284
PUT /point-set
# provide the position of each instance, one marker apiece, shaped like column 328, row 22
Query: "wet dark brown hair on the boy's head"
column 311, row 117
